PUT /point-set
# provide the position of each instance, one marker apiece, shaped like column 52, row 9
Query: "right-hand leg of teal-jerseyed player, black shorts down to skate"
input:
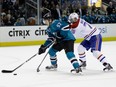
column 69, row 50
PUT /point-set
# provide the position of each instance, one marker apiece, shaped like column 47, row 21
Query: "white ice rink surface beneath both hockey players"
column 93, row 76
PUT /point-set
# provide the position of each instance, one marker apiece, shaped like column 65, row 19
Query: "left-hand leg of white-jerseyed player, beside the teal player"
column 84, row 45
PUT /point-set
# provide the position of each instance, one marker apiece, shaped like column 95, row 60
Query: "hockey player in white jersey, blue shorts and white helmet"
column 92, row 40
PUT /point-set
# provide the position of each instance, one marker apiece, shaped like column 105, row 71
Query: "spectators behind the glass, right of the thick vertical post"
column 91, row 14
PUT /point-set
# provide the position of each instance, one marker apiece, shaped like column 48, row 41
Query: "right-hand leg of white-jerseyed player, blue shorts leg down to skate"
column 96, row 42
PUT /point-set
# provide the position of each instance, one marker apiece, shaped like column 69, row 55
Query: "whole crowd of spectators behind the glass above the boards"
column 13, row 13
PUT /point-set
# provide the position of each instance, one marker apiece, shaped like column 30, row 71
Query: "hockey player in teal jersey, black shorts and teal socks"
column 64, row 39
